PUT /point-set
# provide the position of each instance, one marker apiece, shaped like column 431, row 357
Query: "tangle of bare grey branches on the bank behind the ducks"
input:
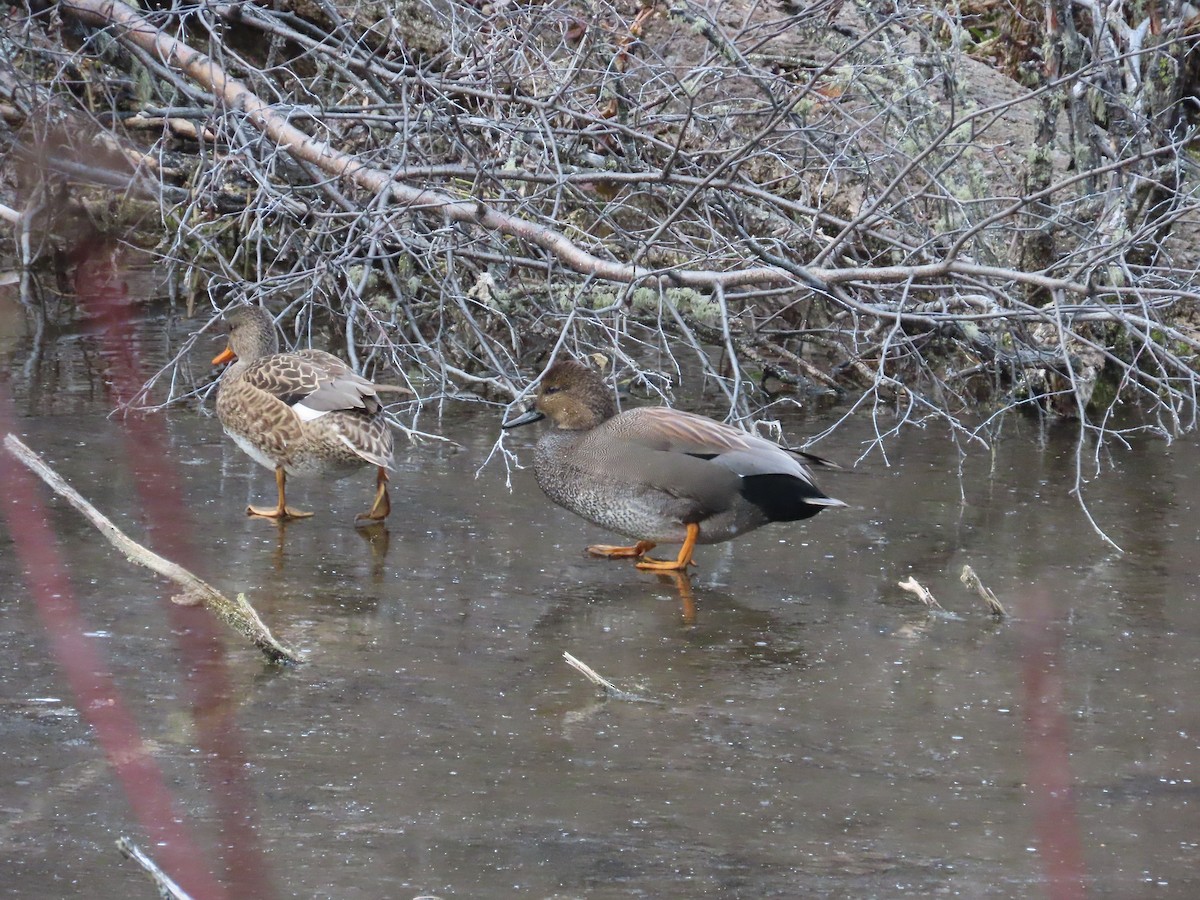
column 788, row 202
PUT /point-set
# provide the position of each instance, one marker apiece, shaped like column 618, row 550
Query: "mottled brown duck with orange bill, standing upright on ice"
column 304, row 413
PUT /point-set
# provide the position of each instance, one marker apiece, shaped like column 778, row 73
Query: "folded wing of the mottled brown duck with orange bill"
column 313, row 383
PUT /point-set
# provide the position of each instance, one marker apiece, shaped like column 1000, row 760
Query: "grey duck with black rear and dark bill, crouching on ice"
column 661, row 476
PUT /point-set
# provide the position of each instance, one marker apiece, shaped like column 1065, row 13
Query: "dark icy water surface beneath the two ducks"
column 809, row 731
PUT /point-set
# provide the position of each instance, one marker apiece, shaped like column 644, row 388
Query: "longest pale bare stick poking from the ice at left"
column 237, row 614
